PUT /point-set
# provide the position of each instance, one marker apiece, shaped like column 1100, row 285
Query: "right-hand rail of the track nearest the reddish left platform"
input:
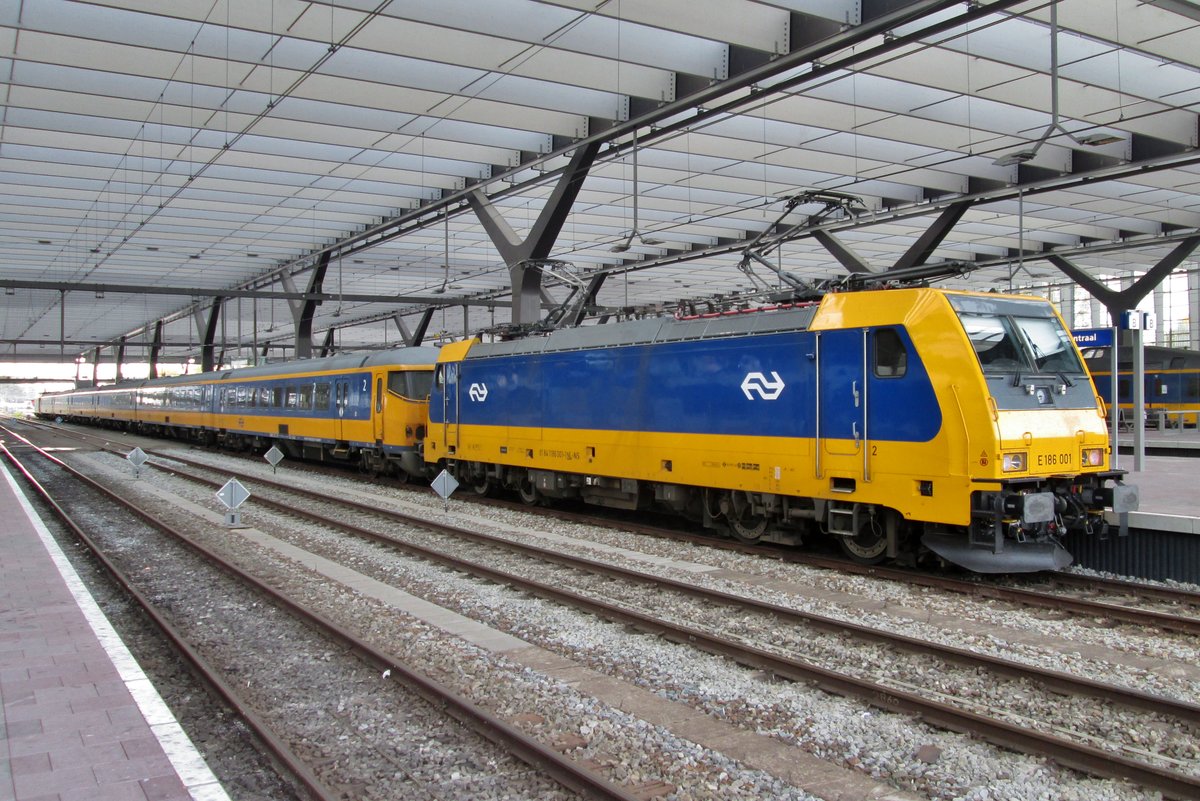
column 563, row 770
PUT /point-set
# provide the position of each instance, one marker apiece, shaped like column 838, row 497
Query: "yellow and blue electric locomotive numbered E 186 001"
column 907, row 424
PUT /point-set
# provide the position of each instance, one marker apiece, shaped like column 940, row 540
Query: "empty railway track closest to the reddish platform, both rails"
column 555, row 764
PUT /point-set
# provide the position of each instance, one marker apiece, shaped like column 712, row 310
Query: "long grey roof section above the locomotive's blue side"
column 653, row 332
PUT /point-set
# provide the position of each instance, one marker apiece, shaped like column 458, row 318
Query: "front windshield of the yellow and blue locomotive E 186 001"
column 1021, row 338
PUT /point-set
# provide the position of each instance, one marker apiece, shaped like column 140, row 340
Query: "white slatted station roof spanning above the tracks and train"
column 157, row 156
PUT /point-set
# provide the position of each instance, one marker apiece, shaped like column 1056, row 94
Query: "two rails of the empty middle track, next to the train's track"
column 1019, row 736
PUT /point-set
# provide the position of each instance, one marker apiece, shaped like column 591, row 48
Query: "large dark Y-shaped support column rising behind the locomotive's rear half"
column 536, row 248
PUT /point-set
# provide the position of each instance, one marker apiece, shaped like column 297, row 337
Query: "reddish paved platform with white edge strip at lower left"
column 81, row 720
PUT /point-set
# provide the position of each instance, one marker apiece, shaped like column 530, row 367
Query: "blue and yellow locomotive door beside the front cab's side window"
column 842, row 402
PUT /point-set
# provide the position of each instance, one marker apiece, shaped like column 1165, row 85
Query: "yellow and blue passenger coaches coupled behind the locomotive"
column 352, row 408
